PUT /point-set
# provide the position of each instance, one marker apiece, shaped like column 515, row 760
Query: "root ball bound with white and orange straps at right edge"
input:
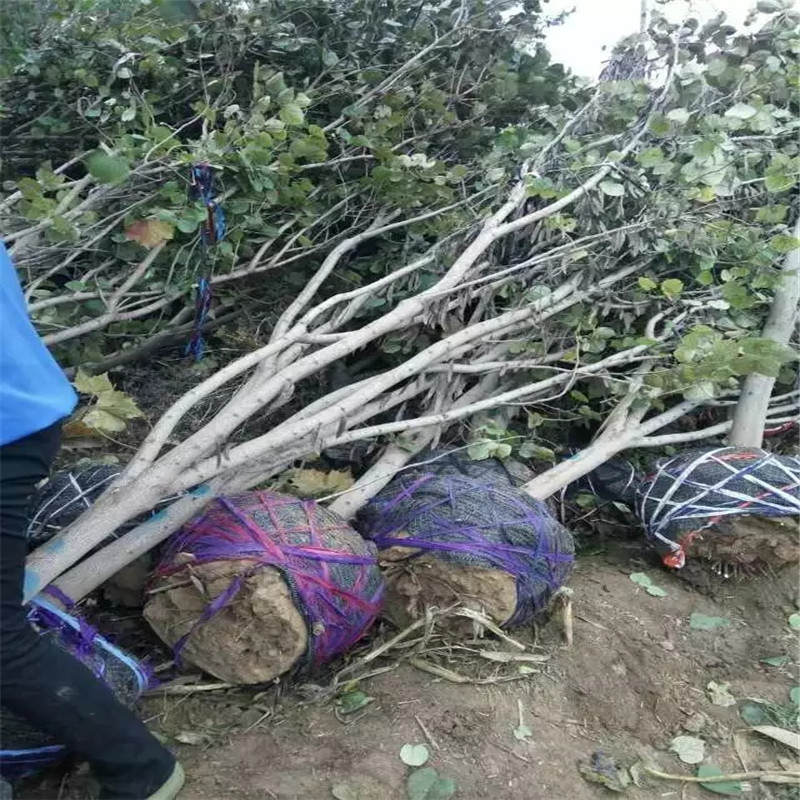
column 735, row 508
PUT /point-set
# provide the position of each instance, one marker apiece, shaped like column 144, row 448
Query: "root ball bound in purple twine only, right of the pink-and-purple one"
column 456, row 531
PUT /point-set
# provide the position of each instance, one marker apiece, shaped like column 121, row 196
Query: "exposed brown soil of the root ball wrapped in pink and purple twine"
column 257, row 636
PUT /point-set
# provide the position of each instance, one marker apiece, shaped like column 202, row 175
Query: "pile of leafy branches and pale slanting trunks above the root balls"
column 510, row 240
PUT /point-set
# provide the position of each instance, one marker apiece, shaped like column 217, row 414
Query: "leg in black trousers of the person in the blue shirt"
column 44, row 684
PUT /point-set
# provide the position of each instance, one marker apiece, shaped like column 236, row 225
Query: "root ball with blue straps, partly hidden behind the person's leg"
column 25, row 750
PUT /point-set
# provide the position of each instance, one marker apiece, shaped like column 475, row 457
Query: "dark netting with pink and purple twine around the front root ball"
column 338, row 591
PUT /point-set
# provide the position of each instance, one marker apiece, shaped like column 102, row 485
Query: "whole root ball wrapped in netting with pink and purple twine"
column 263, row 583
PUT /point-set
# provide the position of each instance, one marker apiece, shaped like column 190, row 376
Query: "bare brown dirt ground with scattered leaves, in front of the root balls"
column 635, row 677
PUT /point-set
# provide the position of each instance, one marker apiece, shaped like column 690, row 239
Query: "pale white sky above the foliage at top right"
column 578, row 43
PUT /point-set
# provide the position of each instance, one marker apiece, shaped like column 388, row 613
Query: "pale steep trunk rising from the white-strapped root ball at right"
column 751, row 410
